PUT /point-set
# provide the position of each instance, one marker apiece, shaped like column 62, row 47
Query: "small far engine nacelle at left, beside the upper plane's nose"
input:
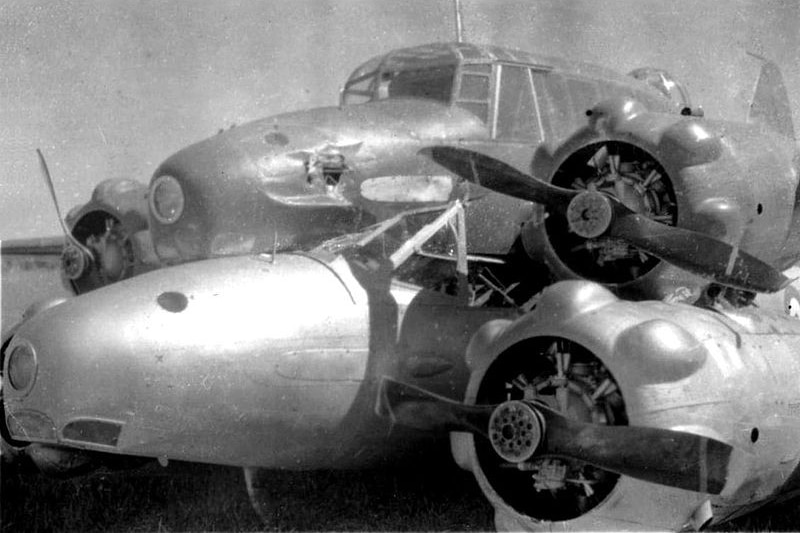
column 113, row 226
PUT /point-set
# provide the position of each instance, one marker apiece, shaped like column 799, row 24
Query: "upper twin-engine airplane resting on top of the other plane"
column 290, row 181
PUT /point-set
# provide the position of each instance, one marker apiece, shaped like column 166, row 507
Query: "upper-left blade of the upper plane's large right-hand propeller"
column 498, row 176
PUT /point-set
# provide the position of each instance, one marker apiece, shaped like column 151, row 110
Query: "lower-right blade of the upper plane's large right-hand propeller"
column 698, row 253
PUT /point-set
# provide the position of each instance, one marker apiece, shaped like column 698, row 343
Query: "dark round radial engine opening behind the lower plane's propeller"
column 563, row 376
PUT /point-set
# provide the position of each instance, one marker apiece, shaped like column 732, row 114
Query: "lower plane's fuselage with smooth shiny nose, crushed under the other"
column 247, row 361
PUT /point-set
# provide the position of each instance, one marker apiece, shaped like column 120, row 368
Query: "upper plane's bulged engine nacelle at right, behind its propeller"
column 735, row 182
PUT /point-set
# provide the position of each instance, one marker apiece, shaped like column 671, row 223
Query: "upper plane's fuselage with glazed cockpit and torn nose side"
column 288, row 180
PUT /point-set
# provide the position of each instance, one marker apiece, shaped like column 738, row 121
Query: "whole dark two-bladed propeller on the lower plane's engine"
column 518, row 430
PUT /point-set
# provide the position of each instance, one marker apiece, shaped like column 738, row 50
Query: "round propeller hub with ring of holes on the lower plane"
column 516, row 429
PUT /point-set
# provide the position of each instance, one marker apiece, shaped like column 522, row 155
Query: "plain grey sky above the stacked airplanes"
column 109, row 89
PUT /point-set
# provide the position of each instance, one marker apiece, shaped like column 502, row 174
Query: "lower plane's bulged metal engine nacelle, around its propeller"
column 602, row 360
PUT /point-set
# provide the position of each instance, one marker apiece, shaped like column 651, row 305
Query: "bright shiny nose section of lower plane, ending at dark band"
column 210, row 360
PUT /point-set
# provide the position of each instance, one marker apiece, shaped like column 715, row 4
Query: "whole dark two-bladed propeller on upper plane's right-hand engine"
column 591, row 214
